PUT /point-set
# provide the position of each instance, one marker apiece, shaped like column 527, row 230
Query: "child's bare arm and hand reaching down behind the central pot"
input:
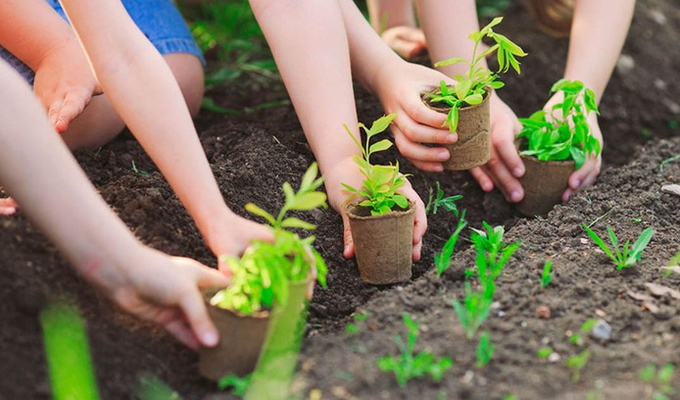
column 312, row 55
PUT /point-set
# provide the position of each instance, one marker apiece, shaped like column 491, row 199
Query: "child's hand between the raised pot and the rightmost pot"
column 505, row 167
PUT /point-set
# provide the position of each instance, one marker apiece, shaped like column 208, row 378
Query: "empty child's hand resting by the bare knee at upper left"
column 64, row 83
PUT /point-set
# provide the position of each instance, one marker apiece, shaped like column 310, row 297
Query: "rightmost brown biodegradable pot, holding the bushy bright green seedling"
column 544, row 182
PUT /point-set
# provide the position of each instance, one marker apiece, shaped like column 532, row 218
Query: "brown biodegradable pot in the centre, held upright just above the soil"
column 383, row 243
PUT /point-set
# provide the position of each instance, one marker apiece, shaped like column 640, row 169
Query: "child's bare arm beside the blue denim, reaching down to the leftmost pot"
column 144, row 92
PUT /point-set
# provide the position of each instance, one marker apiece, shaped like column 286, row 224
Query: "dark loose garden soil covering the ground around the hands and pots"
column 253, row 153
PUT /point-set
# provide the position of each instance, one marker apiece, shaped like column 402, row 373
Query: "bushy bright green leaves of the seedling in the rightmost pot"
column 563, row 133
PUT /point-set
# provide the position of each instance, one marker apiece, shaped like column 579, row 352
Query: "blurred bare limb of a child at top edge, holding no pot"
column 395, row 21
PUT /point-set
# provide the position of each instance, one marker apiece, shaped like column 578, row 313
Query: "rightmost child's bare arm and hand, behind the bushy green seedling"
column 598, row 33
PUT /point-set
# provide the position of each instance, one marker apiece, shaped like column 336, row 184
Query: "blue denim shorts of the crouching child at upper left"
column 159, row 20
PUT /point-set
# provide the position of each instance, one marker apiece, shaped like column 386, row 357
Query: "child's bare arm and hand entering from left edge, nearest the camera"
column 38, row 170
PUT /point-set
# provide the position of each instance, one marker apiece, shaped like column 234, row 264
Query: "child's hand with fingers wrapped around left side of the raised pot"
column 399, row 88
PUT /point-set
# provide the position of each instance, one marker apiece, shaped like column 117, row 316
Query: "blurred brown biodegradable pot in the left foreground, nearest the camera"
column 241, row 340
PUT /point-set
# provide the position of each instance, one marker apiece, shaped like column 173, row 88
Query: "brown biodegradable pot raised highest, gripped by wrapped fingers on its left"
column 473, row 147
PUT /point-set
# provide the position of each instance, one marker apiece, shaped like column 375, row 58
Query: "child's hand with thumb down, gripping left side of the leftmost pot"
column 166, row 290
